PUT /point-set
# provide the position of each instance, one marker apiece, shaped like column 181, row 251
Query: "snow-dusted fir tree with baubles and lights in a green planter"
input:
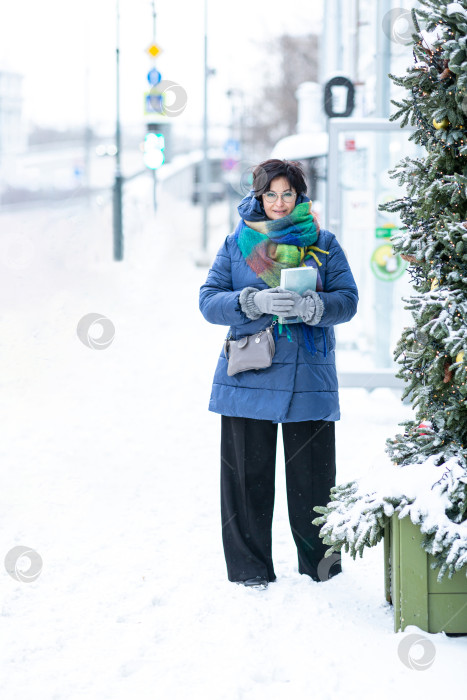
column 427, row 479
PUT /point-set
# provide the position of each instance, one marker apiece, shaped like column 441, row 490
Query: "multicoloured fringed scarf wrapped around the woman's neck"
column 271, row 245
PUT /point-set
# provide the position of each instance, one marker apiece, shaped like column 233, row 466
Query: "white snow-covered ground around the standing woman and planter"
column 110, row 471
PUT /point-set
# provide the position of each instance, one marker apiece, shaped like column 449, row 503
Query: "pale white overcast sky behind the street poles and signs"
column 55, row 43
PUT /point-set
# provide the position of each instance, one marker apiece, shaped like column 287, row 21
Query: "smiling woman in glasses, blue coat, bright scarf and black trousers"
column 277, row 230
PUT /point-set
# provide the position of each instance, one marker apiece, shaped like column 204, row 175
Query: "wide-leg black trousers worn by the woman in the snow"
column 248, row 466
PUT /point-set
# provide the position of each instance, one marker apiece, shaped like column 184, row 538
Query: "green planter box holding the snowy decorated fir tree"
column 411, row 585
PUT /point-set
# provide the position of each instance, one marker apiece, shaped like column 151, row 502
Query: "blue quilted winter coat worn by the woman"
column 299, row 385
